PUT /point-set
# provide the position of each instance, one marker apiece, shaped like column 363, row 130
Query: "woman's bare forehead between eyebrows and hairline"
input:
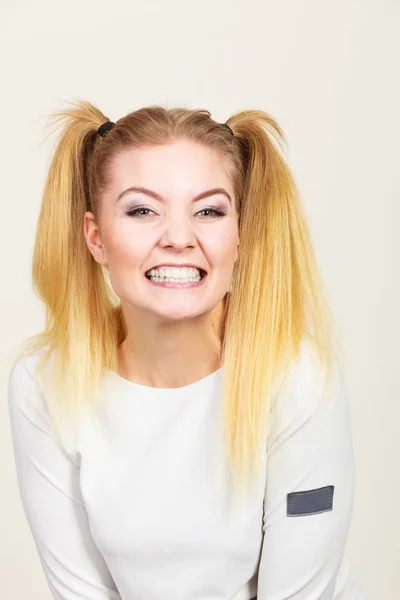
column 179, row 163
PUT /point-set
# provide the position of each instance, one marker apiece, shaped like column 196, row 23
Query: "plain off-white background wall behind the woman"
column 329, row 73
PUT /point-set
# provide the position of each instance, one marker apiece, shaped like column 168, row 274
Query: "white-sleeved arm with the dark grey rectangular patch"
column 311, row 448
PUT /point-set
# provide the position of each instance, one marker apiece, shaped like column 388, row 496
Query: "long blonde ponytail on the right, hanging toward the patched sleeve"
column 277, row 305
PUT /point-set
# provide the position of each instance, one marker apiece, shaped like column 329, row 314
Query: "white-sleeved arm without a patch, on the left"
column 48, row 481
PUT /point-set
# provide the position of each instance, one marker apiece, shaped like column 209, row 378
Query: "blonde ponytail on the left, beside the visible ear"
column 83, row 319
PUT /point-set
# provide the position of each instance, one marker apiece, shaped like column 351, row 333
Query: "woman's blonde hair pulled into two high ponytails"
column 277, row 298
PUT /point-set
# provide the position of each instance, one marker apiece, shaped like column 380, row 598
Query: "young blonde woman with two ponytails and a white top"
column 181, row 427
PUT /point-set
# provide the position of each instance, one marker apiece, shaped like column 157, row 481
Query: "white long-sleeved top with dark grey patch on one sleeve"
column 137, row 512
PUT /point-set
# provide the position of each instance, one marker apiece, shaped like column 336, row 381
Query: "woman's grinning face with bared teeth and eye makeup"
column 168, row 225
